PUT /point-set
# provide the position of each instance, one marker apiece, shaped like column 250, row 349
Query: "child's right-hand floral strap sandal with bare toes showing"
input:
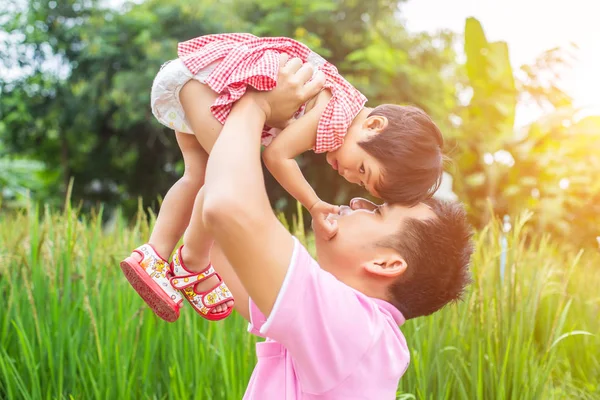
column 203, row 302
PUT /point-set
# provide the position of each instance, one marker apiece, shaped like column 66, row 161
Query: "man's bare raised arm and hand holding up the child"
column 236, row 207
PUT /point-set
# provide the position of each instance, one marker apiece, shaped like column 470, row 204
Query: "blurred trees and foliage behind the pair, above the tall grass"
column 75, row 91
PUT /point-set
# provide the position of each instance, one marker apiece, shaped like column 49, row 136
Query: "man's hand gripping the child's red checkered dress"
column 292, row 90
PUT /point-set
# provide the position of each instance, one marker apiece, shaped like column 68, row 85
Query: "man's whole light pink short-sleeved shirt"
column 325, row 340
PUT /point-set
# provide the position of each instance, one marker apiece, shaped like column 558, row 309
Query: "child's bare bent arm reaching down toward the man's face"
column 298, row 137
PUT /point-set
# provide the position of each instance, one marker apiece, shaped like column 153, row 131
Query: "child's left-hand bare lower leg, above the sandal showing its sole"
column 176, row 209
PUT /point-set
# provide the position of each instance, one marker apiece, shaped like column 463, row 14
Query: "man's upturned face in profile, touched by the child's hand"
column 361, row 228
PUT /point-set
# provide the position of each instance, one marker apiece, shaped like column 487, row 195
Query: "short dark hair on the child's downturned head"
column 410, row 150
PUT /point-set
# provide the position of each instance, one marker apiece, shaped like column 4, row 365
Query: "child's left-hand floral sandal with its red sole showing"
column 150, row 278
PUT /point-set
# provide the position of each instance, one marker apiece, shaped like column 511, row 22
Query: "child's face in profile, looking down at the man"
column 355, row 164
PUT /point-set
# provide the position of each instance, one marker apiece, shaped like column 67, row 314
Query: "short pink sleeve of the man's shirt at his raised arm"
column 326, row 326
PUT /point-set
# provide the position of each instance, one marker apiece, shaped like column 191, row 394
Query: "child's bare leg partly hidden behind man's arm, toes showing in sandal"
column 196, row 100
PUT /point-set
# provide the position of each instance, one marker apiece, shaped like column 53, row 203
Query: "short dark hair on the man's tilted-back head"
column 437, row 252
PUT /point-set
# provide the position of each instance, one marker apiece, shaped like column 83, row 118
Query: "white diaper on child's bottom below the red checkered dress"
column 164, row 98
